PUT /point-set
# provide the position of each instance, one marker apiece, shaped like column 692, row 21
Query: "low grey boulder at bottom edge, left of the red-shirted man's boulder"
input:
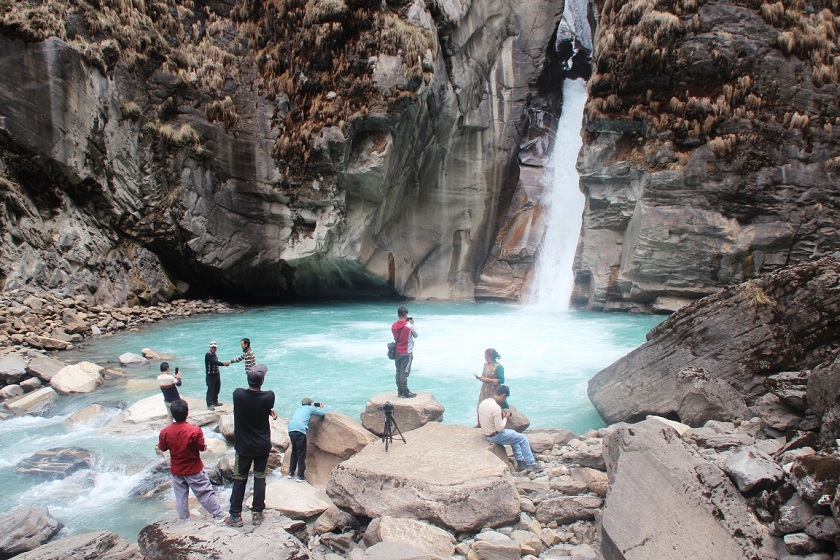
column 100, row 545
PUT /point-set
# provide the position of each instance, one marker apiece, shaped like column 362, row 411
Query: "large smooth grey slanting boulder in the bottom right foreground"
column 665, row 501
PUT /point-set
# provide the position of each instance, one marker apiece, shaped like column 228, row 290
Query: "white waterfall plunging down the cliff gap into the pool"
column 553, row 275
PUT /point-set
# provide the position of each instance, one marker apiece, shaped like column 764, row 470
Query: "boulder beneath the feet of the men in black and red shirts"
column 198, row 540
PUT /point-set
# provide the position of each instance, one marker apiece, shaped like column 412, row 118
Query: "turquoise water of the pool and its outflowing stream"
column 334, row 353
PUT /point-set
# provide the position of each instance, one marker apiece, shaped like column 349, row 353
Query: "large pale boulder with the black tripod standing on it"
column 446, row 474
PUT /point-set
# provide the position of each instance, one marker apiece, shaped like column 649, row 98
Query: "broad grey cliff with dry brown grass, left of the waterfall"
column 265, row 150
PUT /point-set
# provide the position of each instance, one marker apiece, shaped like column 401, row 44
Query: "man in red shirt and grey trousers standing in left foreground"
column 184, row 443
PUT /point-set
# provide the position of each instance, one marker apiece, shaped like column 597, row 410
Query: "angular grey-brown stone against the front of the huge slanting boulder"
column 701, row 397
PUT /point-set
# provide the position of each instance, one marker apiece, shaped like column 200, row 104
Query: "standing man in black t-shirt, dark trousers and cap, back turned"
column 252, row 408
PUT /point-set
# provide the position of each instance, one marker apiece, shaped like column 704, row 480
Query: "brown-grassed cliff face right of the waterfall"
column 710, row 154
